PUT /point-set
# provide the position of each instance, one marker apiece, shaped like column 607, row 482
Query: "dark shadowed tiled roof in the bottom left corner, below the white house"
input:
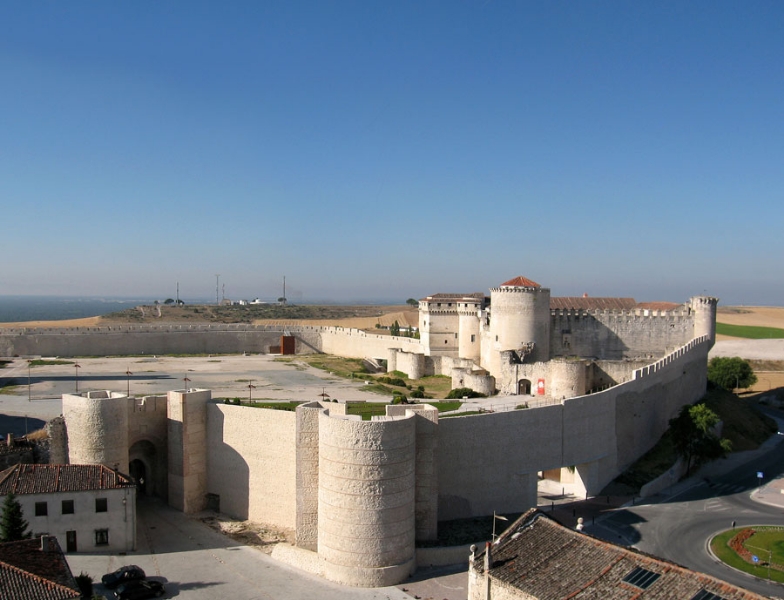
column 29, row 573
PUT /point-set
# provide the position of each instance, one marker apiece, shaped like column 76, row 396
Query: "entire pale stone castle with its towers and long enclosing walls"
column 361, row 494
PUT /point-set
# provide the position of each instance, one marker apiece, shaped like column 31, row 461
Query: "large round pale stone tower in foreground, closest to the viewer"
column 366, row 514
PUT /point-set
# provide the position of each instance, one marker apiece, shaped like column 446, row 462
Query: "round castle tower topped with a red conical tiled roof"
column 520, row 314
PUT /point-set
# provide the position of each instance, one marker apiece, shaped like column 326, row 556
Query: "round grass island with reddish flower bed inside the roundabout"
column 767, row 543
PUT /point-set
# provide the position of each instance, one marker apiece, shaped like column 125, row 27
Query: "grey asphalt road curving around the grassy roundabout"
column 678, row 526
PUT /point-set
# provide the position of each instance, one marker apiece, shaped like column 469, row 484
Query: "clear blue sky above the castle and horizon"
column 387, row 150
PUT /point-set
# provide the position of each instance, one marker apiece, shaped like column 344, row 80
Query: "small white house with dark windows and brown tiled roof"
column 89, row 508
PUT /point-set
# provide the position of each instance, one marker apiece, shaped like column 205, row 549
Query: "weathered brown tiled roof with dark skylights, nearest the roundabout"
column 547, row 561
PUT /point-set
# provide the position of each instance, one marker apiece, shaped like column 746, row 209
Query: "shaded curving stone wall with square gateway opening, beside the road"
column 490, row 462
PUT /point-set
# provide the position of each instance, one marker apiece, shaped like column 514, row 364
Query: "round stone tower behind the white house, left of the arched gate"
column 97, row 428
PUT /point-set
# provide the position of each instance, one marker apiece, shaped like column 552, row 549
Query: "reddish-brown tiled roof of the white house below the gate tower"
column 43, row 479
